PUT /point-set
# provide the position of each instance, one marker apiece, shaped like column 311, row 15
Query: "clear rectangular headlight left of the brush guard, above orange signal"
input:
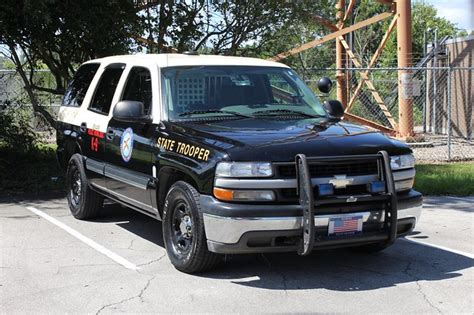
column 244, row 169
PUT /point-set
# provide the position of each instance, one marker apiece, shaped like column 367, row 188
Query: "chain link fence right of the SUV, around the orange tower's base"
column 443, row 118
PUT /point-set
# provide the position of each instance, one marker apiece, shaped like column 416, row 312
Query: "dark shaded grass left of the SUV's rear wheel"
column 34, row 172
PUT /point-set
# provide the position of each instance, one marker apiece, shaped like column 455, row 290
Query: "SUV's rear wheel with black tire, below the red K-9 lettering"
column 83, row 202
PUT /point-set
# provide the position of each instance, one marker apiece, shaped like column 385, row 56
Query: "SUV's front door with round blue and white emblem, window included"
column 129, row 146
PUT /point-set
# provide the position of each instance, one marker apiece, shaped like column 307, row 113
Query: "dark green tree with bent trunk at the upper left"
column 60, row 35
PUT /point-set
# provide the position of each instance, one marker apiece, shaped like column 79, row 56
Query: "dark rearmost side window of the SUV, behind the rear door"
column 79, row 85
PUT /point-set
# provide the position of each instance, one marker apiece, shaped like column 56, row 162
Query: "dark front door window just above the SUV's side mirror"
column 138, row 87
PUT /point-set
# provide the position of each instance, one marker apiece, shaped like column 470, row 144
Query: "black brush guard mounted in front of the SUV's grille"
column 310, row 205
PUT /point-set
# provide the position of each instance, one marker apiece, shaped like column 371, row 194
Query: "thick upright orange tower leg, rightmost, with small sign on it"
column 404, row 54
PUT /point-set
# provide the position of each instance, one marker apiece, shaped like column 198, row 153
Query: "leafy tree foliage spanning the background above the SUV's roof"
column 59, row 35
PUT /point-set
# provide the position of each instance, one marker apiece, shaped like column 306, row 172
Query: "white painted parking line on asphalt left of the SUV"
column 101, row 249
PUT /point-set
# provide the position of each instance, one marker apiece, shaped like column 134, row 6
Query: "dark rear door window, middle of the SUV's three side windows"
column 104, row 93
